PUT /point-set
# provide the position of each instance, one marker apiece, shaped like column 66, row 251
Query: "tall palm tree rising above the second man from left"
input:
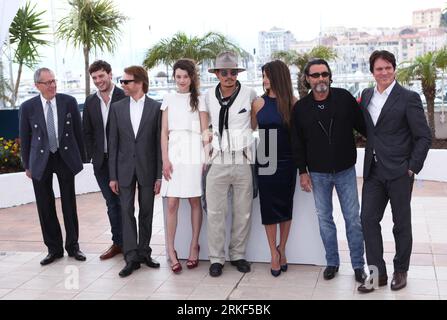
column 91, row 24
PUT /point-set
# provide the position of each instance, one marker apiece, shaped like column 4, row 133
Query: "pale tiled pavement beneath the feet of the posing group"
column 22, row 277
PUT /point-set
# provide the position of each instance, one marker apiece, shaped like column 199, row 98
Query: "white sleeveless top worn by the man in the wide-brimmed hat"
column 239, row 134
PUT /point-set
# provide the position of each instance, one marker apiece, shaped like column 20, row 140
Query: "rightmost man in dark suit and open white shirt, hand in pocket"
column 397, row 145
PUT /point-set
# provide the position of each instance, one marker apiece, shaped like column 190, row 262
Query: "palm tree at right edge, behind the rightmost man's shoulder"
column 425, row 68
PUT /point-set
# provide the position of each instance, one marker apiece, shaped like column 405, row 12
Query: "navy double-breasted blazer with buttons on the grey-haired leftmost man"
column 35, row 148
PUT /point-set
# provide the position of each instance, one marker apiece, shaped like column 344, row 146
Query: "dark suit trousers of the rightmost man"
column 376, row 193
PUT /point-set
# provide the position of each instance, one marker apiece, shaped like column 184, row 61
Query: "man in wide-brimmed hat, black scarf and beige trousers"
column 228, row 107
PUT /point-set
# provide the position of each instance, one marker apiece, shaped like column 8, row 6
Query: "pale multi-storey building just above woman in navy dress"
column 275, row 39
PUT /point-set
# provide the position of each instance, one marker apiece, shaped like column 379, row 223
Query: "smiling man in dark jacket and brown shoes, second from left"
column 96, row 127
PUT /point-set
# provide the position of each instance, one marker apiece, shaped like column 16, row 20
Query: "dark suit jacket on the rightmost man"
column 401, row 138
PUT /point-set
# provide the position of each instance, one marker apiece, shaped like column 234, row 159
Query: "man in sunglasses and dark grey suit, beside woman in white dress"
column 135, row 160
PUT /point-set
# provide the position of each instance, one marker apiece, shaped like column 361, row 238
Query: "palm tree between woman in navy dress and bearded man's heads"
column 301, row 59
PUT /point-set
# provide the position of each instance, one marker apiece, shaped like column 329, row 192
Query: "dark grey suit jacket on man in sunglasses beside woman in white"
column 138, row 155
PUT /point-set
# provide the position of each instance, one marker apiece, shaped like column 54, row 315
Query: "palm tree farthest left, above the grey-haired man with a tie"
column 25, row 36
